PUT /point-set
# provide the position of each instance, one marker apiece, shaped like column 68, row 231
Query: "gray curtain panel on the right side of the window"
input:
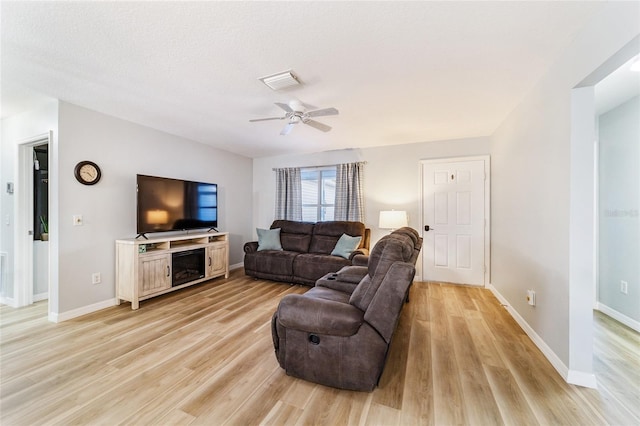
column 349, row 196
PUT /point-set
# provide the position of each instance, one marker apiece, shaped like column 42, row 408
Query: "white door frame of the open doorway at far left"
column 23, row 262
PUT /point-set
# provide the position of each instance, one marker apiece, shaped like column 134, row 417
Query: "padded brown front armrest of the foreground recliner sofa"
column 319, row 316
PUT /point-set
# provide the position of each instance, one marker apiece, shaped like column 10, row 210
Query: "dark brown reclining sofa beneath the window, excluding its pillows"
column 306, row 251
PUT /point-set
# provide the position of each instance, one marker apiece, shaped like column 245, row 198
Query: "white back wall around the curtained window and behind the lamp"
column 392, row 177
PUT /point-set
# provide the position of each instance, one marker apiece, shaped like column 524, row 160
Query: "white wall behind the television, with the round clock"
column 123, row 149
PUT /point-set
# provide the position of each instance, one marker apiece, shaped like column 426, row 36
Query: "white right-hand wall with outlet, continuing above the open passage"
column 531, row 170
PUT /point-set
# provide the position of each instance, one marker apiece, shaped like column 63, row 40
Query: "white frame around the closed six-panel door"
column 487, row 205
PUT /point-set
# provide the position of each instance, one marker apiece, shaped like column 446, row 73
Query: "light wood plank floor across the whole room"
column 203, row 355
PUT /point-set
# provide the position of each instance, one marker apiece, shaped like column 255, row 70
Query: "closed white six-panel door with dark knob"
column 454, row 221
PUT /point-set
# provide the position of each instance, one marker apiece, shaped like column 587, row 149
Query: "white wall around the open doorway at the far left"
column 39, row 121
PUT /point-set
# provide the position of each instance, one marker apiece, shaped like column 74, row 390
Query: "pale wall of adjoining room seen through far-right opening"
column 617, row 100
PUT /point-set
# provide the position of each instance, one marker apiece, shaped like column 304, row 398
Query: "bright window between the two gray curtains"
column 318, row 193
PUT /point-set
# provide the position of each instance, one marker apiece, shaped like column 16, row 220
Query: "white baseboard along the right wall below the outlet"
column 570, row 376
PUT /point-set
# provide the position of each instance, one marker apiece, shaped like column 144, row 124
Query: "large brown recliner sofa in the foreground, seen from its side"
column 340, row 339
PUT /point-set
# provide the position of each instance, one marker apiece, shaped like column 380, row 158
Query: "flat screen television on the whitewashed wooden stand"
column 166, row 204
